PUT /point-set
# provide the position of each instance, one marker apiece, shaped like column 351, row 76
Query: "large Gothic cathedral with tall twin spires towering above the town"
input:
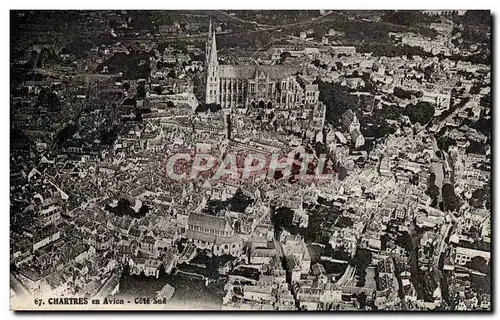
column 249, row 86
